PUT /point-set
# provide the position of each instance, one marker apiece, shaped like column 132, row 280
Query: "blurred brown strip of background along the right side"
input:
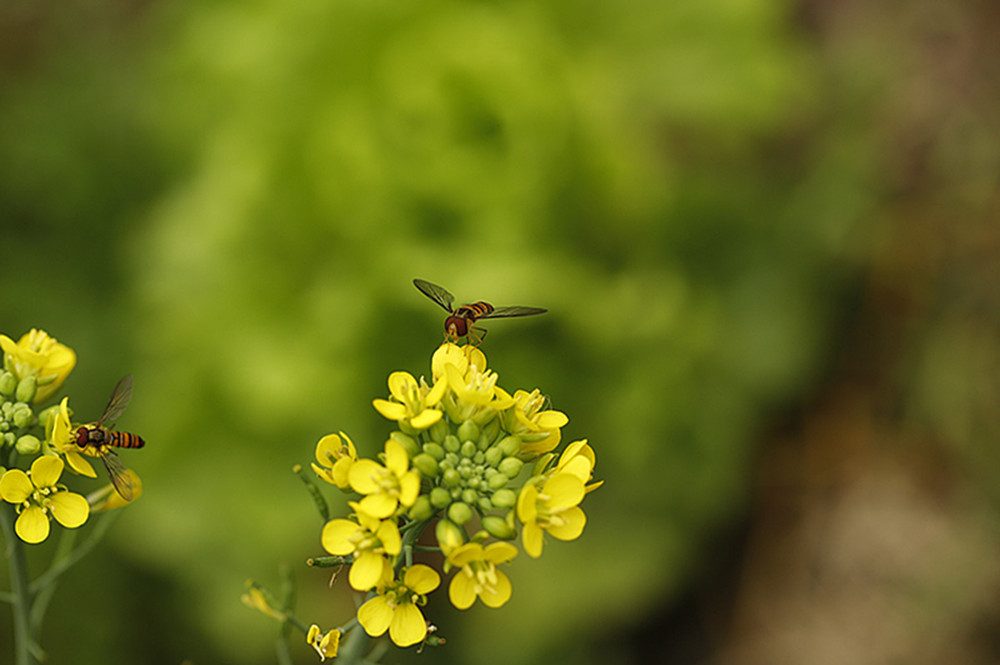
column 873, row 534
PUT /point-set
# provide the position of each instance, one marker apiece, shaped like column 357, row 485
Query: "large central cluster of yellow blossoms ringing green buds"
column 468, row 457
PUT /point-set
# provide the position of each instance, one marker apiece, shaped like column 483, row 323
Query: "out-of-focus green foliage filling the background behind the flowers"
column 229, row 201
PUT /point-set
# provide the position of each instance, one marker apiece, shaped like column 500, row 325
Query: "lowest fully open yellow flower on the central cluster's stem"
column 396, row 608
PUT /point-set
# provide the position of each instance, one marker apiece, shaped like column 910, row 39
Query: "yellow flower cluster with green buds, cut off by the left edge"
column 34, row 369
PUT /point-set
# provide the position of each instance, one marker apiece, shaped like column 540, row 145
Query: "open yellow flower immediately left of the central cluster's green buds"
column 386, row 487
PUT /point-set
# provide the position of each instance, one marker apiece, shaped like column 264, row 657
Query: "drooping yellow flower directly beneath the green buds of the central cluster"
column 479, row 577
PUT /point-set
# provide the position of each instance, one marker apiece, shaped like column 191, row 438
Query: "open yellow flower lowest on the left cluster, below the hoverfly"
column 39, row 498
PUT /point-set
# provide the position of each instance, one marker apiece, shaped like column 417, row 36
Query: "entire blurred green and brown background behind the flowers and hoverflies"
column 765, row 231
